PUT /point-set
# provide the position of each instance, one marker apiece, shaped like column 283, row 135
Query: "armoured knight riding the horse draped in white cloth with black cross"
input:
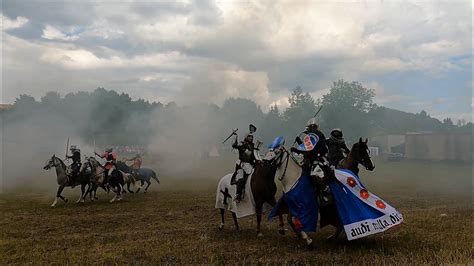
column 245, row 164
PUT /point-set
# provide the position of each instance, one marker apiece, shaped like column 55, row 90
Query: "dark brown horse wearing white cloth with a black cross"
column 263, row 188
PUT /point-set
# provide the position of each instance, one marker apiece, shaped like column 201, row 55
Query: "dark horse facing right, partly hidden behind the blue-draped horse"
column 359, row 154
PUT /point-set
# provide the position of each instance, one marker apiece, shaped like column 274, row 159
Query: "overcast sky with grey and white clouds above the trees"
column 415, row 54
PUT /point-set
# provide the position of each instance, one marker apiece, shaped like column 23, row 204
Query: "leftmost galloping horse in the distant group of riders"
column 63, row 179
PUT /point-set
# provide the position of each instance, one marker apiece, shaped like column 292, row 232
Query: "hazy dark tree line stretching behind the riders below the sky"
column 114, row 118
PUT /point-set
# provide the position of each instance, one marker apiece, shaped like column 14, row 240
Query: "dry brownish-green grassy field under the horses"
column 177, row 223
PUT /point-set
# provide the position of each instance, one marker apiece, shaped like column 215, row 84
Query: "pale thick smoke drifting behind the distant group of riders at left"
column 180, row 141
